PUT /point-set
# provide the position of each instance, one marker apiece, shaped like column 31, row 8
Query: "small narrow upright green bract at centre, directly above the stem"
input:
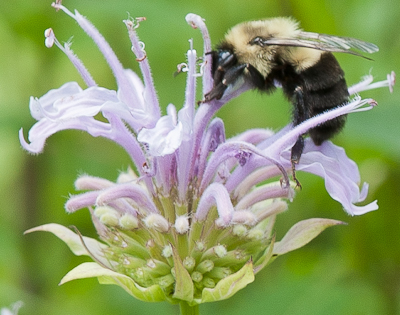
column 184, row 289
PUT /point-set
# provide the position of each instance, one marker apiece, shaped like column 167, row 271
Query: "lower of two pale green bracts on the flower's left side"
column 153, row 293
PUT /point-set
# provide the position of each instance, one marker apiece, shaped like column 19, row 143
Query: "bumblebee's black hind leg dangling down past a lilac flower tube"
column 300, row 114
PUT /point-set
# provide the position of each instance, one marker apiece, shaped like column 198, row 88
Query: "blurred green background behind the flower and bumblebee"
column 352, row 269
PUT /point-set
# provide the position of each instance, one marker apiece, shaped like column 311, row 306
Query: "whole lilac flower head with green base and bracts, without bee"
column 192, row 220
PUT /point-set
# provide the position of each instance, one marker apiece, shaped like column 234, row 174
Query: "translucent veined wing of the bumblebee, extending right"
column 324, row 42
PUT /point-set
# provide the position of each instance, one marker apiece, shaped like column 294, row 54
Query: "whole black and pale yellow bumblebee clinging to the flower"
column 276, row 51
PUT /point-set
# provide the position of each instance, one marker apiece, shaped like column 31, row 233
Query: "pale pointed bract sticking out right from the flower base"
column 302, row 233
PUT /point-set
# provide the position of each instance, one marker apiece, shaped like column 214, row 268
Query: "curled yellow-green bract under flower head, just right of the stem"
column 228, row 286
